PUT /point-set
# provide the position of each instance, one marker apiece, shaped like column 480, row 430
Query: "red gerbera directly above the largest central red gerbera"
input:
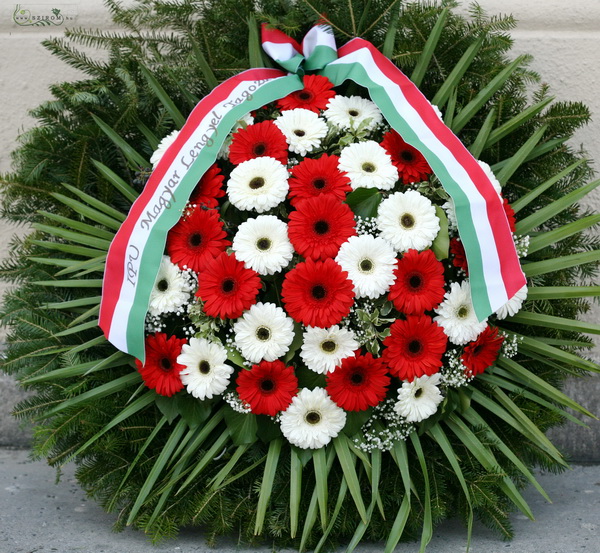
column 320, row 225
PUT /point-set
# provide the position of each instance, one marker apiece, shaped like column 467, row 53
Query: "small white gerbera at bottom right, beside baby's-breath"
column 418, row 400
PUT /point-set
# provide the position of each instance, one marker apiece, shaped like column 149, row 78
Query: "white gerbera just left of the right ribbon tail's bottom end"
column 456, row 315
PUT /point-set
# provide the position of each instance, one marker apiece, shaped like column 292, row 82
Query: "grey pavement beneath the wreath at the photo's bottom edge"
column 38, row 516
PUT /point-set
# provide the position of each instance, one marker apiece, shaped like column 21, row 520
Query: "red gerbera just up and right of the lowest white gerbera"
column 361, row 382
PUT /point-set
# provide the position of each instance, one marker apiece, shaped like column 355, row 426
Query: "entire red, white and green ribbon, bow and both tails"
column 135, row 254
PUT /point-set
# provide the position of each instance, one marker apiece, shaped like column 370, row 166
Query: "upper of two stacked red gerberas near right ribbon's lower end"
column 419, row 284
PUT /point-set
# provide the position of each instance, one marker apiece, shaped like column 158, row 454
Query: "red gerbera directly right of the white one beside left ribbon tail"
column 226, row 287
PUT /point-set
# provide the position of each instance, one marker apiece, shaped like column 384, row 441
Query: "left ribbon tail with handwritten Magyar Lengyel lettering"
column 135, row 254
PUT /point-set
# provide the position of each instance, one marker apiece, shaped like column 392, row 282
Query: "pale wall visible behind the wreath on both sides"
column 563, row 37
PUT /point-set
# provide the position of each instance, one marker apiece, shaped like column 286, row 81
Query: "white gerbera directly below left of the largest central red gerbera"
column 263, row 332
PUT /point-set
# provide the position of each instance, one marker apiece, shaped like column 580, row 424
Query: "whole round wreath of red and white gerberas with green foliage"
column 312, row 365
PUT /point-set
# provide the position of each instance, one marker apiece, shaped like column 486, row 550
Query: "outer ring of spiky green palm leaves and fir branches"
column 160, row 465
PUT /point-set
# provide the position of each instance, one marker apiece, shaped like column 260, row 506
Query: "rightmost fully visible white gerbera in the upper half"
column 407, row 220
